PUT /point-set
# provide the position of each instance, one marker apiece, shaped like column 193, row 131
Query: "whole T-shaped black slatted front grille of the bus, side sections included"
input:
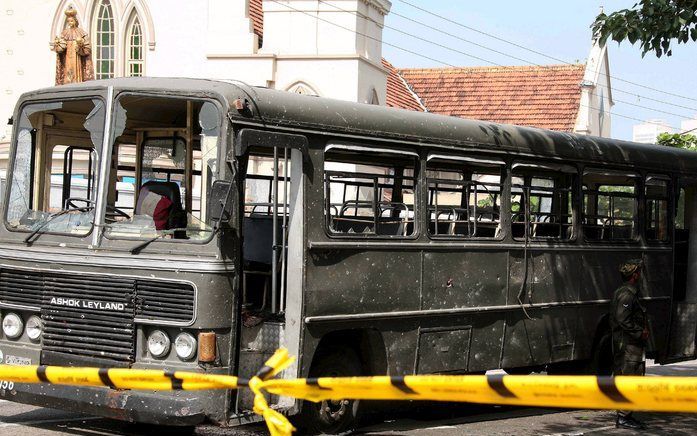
column 94, row 316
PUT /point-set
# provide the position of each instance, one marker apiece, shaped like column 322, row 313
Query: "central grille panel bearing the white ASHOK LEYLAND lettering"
column 91, row 317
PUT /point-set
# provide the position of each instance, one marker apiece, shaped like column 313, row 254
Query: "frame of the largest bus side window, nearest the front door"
column 355, row 147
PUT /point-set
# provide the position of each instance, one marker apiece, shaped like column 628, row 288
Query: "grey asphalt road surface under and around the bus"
column 421, row 419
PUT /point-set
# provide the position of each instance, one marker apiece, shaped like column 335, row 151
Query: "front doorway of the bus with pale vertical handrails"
column 272, row 252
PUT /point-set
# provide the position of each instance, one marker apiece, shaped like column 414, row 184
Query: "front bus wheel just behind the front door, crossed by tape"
column 332, row 417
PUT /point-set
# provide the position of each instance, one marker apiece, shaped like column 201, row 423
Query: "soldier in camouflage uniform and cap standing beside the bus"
column 629, row 332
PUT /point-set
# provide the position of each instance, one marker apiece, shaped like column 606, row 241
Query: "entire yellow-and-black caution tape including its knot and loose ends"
column 661, row 394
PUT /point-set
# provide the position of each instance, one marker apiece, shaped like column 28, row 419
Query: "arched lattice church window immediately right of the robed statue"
column 104, row 40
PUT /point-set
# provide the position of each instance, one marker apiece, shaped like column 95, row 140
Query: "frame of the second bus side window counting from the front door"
column 474, row 161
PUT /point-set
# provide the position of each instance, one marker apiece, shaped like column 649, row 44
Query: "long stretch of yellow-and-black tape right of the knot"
column 661, row 394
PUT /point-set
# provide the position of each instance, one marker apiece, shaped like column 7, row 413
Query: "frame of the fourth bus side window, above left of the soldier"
column 639, row 203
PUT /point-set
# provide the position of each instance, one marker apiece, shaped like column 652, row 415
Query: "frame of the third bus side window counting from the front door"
column 547, row 167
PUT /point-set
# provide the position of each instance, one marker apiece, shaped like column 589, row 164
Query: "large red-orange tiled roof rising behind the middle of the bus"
column 540, row 96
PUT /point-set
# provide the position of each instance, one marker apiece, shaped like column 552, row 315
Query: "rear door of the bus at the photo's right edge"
column 684, row 315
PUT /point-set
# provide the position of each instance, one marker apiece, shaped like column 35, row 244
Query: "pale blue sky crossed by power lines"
column 560, row 29
